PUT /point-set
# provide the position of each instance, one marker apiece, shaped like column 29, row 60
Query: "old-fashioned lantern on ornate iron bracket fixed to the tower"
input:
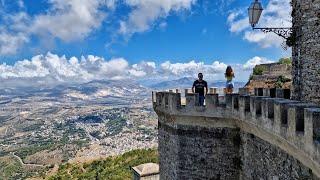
column 255, row 11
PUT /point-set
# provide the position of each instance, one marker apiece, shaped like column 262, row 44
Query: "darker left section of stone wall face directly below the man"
column 203, row 153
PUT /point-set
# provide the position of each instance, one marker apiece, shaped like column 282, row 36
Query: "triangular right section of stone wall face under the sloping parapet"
column 262, row 160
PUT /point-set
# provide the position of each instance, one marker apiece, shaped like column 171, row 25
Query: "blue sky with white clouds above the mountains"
column 59, row 41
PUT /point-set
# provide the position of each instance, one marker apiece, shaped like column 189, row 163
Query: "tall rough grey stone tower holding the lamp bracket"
column 306, row 50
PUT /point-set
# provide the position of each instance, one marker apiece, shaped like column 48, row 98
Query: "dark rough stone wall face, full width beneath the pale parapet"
column 198, row 152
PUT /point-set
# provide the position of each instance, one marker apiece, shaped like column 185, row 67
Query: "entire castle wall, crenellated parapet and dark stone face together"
column 245, row 137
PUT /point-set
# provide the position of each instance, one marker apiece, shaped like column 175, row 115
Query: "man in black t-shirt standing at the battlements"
column 200, row 86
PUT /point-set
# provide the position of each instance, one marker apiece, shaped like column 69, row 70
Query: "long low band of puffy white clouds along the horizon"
column 53, row 69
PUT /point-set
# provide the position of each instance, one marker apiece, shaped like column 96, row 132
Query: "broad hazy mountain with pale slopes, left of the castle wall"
column 102, row 91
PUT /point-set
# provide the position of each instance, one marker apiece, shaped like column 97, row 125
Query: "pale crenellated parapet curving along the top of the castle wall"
column 293, row 126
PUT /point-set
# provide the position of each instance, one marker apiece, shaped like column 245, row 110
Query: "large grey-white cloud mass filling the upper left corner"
column 67, row 20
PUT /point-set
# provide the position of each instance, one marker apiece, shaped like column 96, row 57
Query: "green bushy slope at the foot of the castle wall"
column 117, row 167
